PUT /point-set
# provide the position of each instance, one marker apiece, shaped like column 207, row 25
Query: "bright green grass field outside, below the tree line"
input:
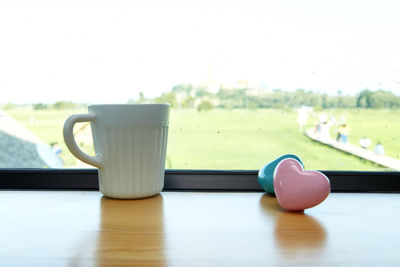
column 243, row 139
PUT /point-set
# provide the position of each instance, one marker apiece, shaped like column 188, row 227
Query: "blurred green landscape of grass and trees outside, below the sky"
column 242, row 128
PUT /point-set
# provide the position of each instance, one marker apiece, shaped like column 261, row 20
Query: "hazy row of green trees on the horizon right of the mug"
column 189, row 96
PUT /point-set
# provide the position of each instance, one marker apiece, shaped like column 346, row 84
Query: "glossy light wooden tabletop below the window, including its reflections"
column 76, row 228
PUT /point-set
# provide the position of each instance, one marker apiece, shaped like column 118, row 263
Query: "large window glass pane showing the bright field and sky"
column 247, row 81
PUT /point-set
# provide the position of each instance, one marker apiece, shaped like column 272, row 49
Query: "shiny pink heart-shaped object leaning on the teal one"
column 296, row 189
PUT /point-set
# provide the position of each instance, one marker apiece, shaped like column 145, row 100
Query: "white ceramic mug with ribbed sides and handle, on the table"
column 130, row 143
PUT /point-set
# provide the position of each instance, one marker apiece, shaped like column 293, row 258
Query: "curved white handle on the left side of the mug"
column 70, row 140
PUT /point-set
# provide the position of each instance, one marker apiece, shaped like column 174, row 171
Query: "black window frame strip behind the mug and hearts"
column 191, row 180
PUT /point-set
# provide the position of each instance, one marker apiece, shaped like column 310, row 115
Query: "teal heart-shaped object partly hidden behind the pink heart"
column 266, row 173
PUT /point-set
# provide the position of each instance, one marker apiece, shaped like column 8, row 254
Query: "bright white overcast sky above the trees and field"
column 108, row 51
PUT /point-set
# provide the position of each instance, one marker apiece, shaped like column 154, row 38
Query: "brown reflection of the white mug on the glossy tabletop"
column 131, row 232
